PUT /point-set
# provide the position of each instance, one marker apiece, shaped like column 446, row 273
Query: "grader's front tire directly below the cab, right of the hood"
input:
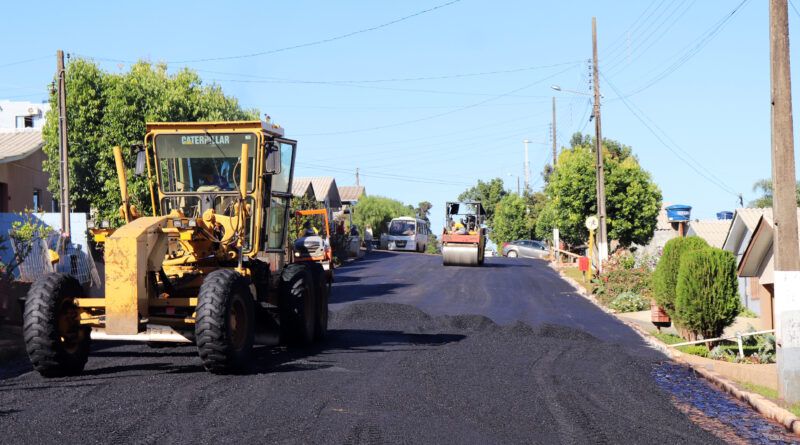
column 224, row 327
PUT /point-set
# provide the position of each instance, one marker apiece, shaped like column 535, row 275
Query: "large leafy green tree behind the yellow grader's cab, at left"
column 106, row 109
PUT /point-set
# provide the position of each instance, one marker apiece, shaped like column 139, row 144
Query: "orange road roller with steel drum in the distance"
column 463, row 237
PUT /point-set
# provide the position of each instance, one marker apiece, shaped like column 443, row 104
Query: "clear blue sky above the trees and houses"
column 428, row 105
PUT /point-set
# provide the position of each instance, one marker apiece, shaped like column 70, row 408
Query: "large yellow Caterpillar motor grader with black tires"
column 210, row 266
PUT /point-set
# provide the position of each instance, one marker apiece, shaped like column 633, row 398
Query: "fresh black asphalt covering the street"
column 418, row 353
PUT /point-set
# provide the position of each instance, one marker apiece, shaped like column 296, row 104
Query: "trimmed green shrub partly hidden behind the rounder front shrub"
column 665, row 278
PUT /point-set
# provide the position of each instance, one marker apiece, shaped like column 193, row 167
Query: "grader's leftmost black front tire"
column 56, row 342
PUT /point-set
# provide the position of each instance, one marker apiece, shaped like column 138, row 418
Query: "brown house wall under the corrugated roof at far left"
column 22, row 177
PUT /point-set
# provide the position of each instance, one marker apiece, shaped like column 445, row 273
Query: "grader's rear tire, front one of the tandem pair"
column 298, row 304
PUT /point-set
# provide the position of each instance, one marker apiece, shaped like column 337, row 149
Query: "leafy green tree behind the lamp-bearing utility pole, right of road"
column 632, row 199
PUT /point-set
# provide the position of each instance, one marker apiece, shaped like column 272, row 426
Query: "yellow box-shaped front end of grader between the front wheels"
column 130, row 251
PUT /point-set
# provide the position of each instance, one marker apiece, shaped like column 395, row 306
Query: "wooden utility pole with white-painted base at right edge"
column 787, row 254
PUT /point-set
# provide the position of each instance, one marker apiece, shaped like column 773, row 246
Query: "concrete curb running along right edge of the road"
column 764, row 406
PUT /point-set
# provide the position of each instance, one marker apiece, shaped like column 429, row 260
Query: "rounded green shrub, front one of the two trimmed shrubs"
column 707, row 297
